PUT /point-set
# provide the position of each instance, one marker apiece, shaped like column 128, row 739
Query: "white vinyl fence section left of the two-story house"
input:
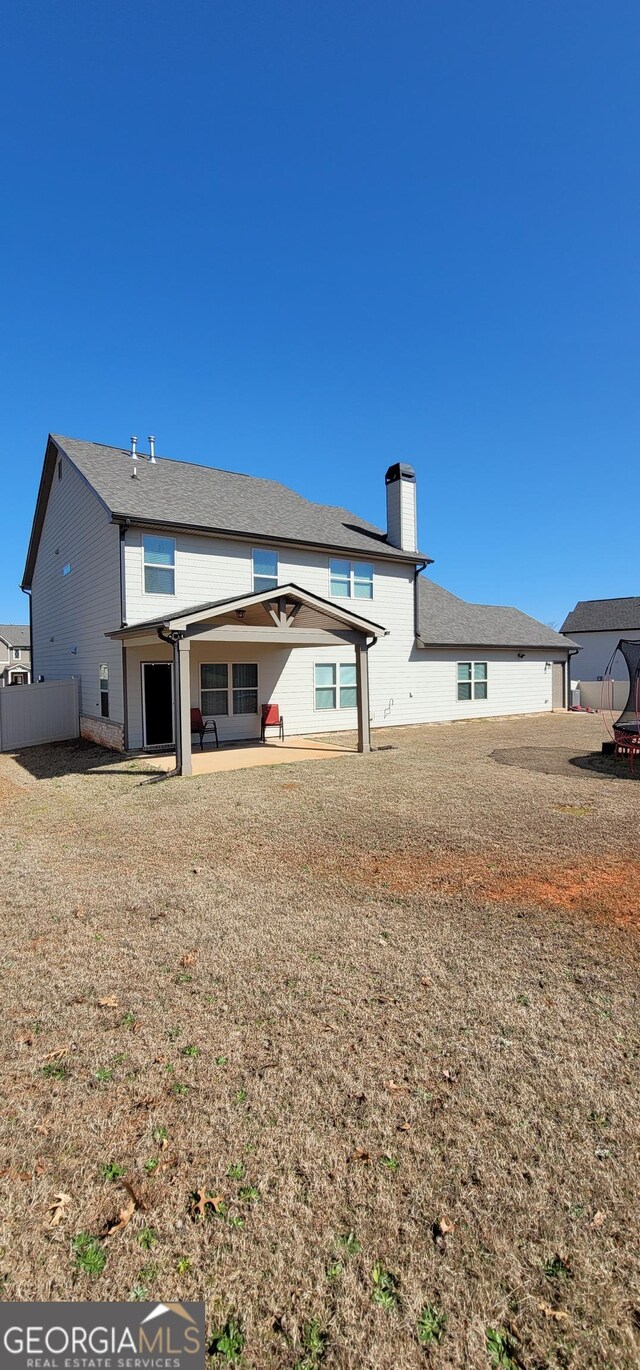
column 32, row 714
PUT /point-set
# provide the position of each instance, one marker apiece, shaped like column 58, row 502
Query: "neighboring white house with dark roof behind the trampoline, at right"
column 598, row 627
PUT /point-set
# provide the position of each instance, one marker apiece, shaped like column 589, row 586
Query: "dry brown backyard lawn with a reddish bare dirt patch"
column 383, row 1010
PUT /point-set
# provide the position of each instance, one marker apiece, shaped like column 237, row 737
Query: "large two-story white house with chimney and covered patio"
column 165, row 586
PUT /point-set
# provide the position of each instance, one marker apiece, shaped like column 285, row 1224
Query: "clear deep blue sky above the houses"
column 306, row 240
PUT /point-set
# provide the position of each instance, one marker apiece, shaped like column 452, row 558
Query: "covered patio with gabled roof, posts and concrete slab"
column 284, row 617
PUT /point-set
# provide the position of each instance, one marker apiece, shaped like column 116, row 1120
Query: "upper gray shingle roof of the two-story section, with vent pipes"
column 206, row 498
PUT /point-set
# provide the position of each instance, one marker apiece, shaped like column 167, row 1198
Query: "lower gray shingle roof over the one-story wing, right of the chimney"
column 447, row 621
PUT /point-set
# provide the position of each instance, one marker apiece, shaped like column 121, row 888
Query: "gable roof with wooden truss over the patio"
column 258, row 613
